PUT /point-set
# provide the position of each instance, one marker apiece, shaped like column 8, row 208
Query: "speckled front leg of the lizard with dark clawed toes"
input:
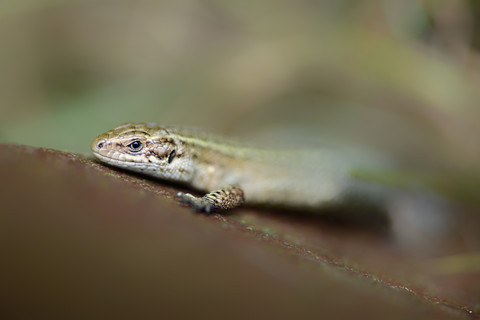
column 221, row 199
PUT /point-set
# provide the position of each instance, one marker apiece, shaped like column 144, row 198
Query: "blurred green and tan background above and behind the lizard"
column 401, row 75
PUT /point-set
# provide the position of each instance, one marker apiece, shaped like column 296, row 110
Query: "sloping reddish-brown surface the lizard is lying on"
column 79, row 239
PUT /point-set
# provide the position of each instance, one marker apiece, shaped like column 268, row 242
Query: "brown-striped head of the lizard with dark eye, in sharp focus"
column 146, row 148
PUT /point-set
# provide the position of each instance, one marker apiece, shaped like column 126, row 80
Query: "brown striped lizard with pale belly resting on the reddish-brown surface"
column 231, row 173
